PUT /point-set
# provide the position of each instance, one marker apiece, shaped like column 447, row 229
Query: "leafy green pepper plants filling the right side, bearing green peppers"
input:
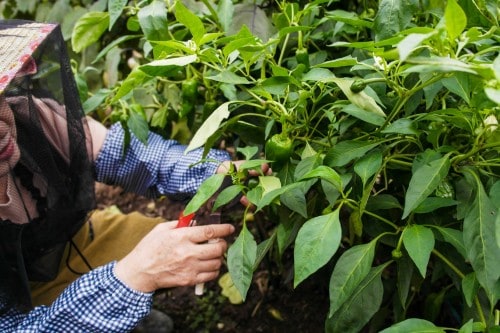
column 380, row 120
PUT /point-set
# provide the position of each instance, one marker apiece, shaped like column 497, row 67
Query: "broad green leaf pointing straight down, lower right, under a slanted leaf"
column 419, row 242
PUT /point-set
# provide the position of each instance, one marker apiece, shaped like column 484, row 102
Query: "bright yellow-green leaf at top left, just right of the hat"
column 88, row 29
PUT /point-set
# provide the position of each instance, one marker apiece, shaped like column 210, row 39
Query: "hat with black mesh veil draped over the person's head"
column 47, row 186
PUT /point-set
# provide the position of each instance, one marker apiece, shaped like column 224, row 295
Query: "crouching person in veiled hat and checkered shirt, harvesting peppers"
column 64, row 265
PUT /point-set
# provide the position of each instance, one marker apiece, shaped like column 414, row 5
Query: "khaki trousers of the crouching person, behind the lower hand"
column 108, row 236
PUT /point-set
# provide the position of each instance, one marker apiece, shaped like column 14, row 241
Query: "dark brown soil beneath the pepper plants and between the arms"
column 272, row 304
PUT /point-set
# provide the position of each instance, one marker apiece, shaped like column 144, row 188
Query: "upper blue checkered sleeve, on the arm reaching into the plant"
column 158, row 168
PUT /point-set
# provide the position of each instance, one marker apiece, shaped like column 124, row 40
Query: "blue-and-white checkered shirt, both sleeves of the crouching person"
column 98, row 301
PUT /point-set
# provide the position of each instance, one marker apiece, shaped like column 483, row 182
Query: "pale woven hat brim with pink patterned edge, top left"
column 18, row 40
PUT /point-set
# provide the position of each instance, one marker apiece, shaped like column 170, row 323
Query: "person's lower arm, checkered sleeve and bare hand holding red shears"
column 115, row 297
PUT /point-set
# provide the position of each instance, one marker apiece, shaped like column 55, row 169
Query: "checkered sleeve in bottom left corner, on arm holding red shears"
column 96, row 302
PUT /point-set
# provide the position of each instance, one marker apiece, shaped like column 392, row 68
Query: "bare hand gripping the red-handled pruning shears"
column 169, row 257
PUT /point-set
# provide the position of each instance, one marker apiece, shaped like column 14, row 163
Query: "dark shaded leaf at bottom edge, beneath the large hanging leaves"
column 355, row 313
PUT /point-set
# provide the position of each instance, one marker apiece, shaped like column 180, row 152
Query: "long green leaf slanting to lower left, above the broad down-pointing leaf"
column 423, row 182
